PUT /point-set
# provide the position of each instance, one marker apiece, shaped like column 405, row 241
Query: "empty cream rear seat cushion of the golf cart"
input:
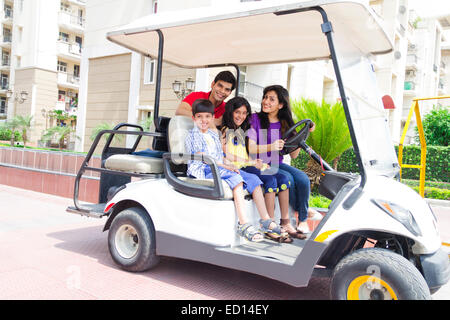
column 134, row 163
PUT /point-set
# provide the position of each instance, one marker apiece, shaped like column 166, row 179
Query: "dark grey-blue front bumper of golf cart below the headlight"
column 436, row 268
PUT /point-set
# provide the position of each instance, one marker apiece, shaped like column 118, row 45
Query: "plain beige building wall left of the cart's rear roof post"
column 108, row 90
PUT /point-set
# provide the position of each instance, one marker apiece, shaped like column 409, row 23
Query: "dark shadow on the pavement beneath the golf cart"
column 202, row 278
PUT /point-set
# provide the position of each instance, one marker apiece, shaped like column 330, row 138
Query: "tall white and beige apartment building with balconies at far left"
column 41, row 45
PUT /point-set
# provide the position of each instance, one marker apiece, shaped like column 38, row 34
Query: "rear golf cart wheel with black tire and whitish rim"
column 131, row 240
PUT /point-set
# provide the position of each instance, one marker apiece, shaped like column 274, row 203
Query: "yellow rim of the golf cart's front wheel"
column 370, row 288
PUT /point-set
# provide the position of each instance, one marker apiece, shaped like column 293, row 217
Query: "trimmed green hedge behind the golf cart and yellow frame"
column 437, row 162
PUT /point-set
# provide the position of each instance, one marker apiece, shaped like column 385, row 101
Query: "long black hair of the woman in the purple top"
column 284, row 114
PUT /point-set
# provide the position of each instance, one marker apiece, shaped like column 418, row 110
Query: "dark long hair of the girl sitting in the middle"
column 228, row 121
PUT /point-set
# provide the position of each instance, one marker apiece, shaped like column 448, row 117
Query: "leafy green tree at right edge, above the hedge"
column 436, row 127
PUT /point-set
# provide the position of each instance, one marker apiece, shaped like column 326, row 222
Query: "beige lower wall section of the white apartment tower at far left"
column 44, row 96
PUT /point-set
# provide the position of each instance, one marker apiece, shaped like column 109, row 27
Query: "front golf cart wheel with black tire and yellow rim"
column 394, row 276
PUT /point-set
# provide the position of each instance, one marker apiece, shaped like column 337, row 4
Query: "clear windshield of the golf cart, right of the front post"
column 366, row 109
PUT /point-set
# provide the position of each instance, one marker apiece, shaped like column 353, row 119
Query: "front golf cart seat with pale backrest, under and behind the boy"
column 179, row 127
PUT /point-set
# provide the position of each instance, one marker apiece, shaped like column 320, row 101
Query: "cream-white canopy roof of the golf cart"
column 252, row 33
